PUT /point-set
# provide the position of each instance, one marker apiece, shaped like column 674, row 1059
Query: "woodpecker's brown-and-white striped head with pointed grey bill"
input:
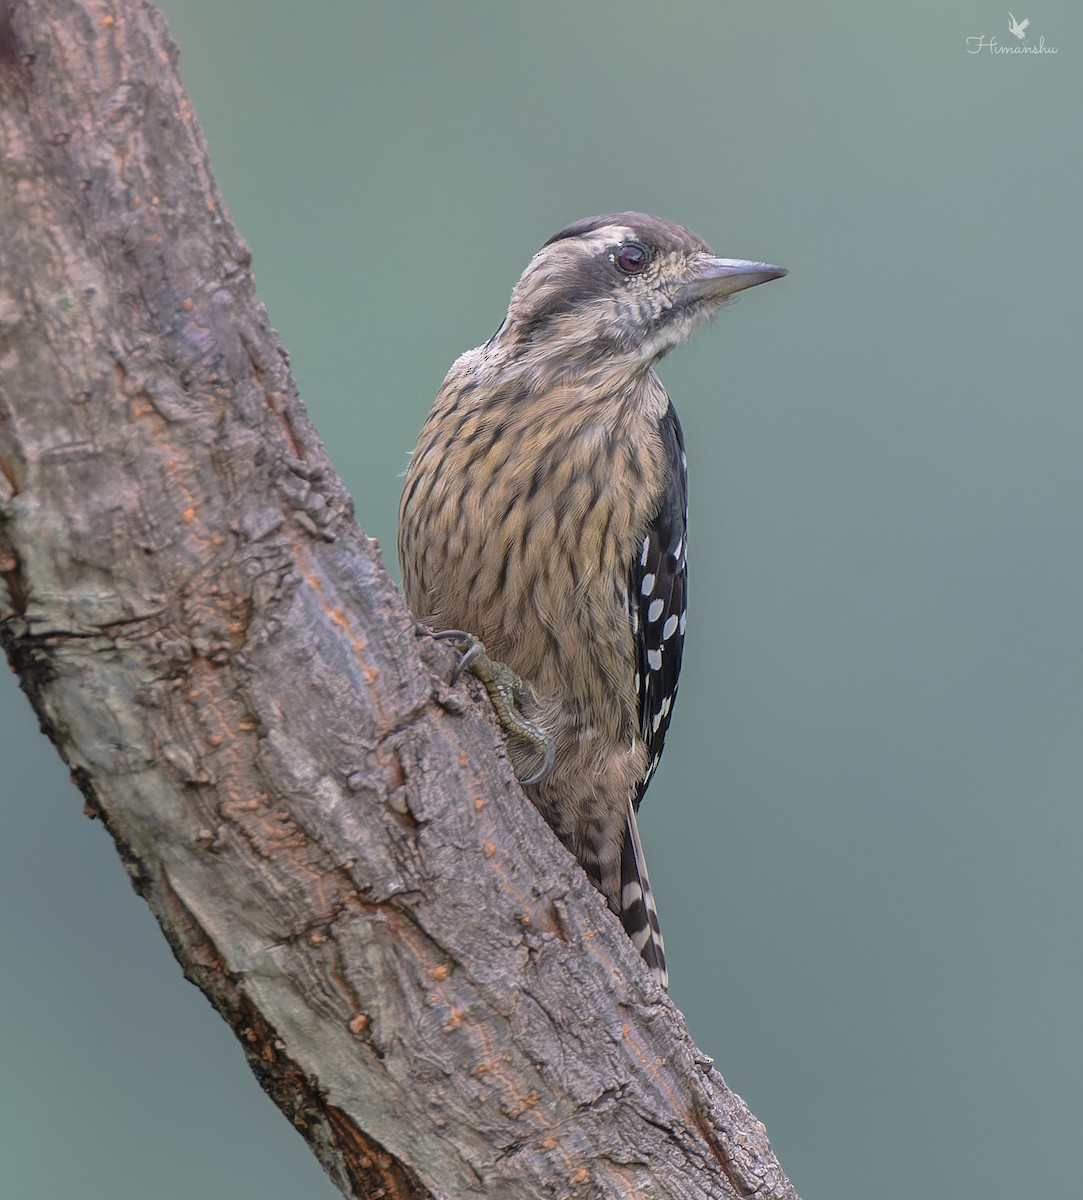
column 625, row 286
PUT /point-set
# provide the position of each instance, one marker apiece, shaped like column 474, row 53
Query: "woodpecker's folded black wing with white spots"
column 657, row 601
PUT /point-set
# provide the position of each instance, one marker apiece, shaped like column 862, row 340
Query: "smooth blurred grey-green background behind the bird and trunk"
column 865, row 837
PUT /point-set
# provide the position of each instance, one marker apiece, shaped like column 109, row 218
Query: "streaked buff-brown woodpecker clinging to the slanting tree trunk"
column 545, row 514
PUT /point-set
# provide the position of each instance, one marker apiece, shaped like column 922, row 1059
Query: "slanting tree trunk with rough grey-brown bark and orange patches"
column 331, row 838
